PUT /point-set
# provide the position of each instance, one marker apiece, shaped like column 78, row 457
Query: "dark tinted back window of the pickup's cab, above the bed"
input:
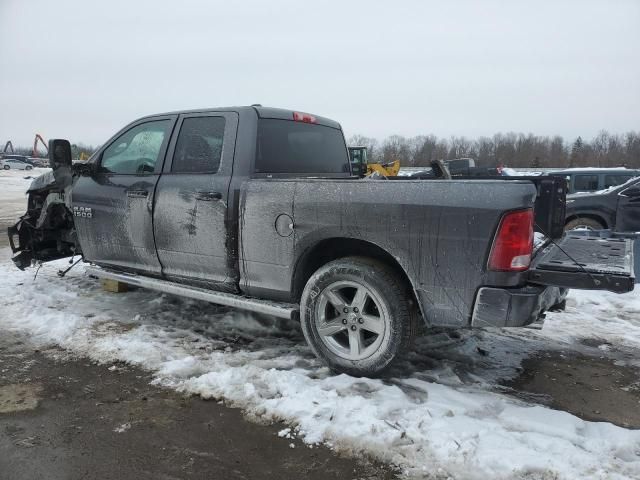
column 294, row 147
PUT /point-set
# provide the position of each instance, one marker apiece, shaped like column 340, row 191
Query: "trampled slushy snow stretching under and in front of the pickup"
column 441, row 413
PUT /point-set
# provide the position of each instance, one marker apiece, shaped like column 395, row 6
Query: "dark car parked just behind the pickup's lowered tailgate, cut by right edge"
column 617, row 208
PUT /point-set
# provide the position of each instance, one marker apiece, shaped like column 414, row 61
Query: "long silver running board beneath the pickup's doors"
column 266, row 307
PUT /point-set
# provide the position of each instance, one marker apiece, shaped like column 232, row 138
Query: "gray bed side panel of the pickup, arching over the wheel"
column 439, row 232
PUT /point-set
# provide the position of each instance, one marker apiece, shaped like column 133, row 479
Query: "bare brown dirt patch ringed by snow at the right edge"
column 592, row 388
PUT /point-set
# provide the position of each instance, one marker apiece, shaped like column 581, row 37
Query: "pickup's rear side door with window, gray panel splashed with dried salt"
column 192, row 229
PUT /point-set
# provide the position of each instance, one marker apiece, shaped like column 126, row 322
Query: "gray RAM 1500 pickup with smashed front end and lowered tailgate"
column 257, row 208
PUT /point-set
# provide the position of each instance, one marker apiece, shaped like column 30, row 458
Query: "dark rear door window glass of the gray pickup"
column 199, row 145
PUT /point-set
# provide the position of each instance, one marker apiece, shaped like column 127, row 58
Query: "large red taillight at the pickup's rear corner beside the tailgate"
column 513, row 244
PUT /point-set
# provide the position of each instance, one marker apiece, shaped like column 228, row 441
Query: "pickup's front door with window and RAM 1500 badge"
column 113, row 208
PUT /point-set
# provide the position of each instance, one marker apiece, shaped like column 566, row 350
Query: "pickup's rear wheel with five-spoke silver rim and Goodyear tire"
column 357, row 316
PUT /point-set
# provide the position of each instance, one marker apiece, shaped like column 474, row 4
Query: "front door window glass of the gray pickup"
column 137, row 150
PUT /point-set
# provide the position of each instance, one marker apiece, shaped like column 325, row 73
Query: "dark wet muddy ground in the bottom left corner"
column 65, row 418
